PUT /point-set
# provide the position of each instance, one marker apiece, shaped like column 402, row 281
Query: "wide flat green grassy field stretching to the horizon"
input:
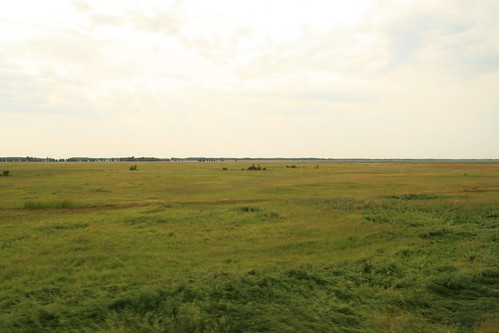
column 298, row 247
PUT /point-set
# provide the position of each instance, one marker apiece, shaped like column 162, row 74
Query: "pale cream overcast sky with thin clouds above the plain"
column 259, row 78
